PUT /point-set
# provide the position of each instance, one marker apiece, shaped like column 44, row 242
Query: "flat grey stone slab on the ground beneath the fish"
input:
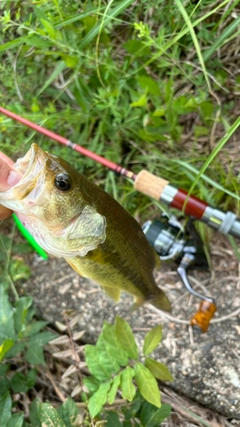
column 206, row 367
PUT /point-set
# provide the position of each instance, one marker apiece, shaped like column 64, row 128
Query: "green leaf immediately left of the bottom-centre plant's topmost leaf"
column 114, row 348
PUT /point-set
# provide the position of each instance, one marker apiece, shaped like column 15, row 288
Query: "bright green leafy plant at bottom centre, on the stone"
column 131, row 377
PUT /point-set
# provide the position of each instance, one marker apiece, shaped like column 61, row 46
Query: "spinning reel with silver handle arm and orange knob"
column 173, row 242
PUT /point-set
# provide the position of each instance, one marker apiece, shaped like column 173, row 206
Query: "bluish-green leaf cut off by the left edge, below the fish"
column 7, row 329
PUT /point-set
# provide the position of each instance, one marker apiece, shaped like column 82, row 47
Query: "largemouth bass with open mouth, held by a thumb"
column 73, row 218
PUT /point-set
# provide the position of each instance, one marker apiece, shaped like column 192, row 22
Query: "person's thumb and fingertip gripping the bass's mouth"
column 8, row 178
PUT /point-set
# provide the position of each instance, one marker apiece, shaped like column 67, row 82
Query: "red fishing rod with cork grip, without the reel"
column 151, row 185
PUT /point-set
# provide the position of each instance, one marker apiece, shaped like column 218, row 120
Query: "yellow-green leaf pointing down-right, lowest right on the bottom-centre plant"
column 147, row 384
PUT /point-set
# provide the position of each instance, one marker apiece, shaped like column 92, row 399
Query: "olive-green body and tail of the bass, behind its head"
column 125, row 260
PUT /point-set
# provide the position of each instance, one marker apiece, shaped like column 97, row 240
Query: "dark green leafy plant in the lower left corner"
column 19, row 334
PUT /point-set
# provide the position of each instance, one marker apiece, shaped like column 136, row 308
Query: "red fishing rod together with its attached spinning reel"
column 168, row 237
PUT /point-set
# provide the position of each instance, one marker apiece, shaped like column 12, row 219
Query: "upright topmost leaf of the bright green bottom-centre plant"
column 126, row 338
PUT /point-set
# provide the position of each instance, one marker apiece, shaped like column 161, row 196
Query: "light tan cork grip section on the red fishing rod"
column 149, row 184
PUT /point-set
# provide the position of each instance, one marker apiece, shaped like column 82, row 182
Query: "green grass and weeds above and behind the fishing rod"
column 125, row 86
